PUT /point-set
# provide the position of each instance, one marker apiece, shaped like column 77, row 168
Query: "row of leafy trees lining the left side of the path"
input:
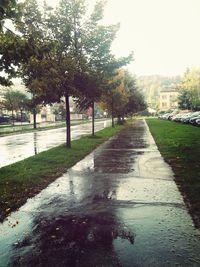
column 64, row 53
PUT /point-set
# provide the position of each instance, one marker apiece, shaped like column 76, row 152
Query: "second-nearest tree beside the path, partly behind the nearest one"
column 102, row 65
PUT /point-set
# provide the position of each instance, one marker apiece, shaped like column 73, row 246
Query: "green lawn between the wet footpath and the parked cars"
column 180, row 146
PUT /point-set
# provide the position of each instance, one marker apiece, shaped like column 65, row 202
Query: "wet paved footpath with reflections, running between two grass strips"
column 118, row 207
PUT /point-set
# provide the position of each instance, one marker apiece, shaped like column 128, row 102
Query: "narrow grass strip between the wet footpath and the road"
column 28, row 177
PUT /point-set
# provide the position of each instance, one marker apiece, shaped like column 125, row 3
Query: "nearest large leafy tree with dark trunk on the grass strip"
column 70, row 67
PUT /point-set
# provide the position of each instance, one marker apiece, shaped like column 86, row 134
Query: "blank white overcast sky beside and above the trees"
column 163, row 34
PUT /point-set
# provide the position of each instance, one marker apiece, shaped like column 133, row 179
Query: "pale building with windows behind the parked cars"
column 169, row 98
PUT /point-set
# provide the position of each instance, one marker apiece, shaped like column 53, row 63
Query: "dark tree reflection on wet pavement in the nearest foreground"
column 73, row 241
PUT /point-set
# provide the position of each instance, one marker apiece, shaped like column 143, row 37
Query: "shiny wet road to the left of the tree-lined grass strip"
column 20, row 146
